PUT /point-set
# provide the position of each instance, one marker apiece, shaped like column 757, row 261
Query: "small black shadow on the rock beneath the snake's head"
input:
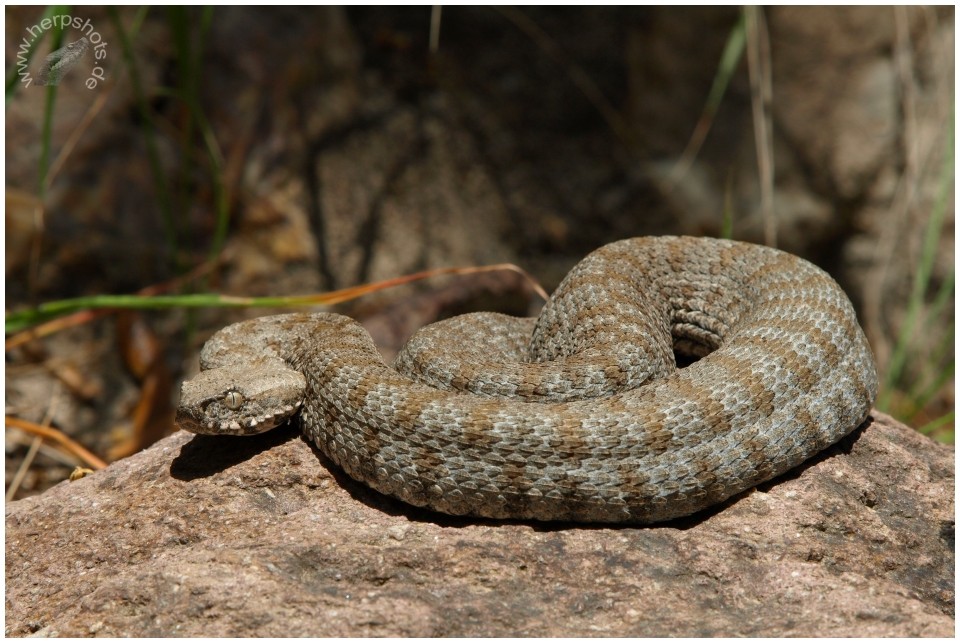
column 206, row 455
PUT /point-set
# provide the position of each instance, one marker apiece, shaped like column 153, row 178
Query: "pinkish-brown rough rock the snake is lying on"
column 260, row 536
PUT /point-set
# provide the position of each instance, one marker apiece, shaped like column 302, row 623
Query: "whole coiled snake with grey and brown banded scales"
column 664, row 376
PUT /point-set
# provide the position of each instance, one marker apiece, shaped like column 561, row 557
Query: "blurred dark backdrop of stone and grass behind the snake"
column 280, row 151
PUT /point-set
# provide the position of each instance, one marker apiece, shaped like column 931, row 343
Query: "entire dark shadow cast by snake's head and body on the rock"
column 206, row 455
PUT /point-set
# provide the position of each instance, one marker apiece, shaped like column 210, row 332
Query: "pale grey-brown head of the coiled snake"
column 238, row 401
